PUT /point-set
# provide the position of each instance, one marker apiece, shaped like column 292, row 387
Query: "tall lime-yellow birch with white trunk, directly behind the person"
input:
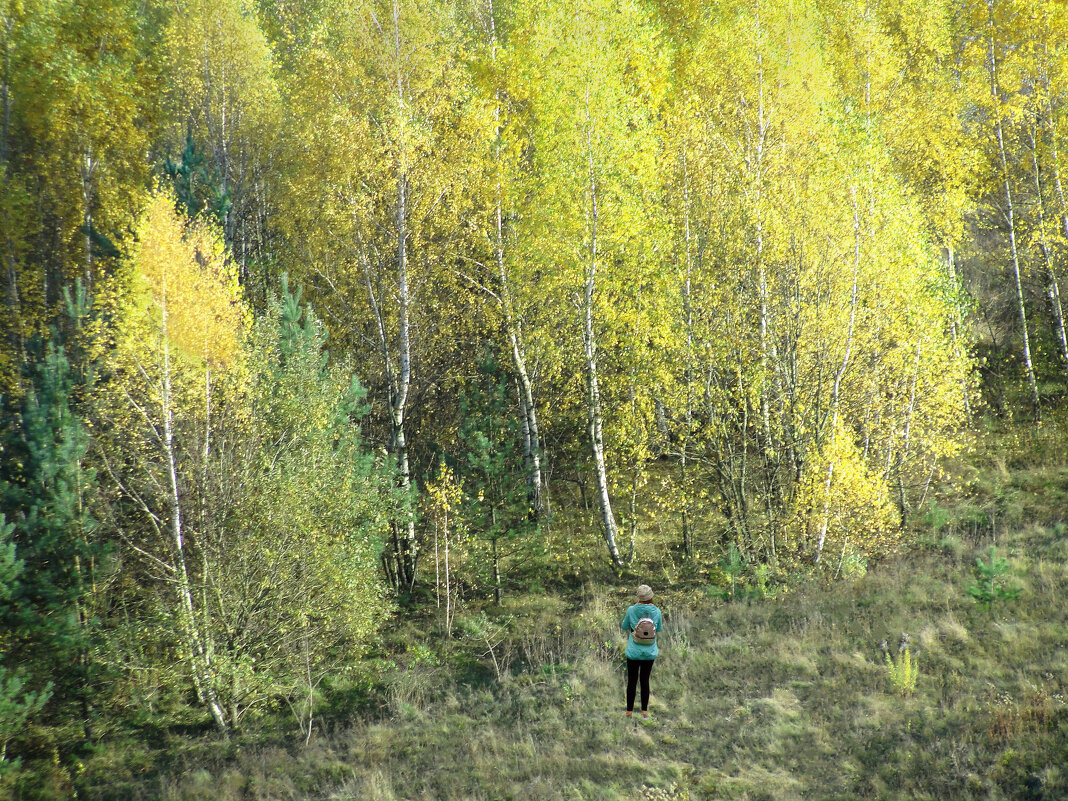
column 593, row 151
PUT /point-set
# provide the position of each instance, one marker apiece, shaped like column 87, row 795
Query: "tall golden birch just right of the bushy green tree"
column 380, row 143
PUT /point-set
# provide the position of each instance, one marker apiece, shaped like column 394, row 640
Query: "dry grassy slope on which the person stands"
column 778, row 699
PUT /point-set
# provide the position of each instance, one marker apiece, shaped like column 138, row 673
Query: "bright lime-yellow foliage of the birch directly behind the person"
column 591, row 84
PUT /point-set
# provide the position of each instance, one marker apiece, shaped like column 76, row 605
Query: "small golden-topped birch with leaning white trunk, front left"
column 179, row 322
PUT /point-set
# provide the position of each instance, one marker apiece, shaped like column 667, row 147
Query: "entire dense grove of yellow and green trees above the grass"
column 312, row 309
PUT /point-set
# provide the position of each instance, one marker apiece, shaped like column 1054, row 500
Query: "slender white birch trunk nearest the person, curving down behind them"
column 594, row 425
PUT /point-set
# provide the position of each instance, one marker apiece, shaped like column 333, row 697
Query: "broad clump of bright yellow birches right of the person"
column 809, row 326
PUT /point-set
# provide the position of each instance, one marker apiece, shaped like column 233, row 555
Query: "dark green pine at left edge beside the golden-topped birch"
column 44, row 492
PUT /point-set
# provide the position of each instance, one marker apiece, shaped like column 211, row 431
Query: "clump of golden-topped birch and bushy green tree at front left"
column 252, row 439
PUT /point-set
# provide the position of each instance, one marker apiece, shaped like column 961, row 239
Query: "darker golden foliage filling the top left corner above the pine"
column 75, row 127
